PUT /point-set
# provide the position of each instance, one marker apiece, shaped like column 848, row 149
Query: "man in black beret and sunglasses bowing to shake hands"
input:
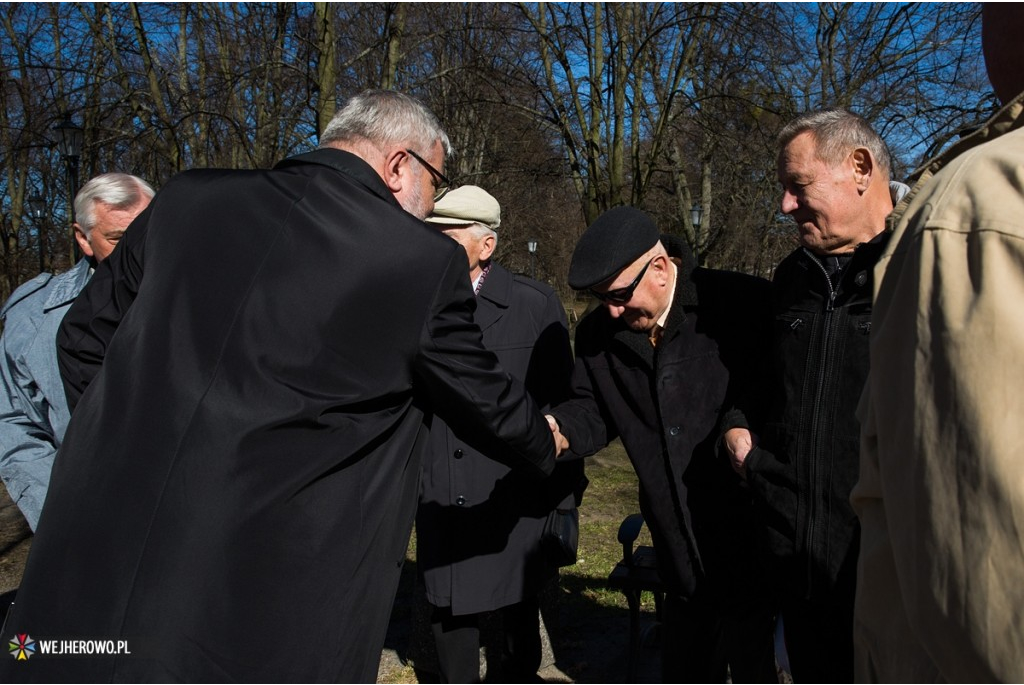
column 656, row 367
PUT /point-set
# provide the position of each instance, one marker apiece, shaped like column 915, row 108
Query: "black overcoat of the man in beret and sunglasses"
column 666, row 406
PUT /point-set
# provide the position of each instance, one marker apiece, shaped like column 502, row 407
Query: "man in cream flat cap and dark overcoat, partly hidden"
column 481, row 523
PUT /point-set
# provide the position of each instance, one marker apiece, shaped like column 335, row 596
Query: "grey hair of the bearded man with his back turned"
column 387, row 118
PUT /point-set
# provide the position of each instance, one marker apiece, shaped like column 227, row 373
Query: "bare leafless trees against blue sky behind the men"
column 563, row 111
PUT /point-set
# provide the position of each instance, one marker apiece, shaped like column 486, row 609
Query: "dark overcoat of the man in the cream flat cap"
column 480, row 524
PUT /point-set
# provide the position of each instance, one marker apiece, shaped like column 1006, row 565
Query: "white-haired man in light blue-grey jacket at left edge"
column 33, row 410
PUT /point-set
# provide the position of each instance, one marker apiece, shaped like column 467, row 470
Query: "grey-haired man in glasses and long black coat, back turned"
column 238, row 485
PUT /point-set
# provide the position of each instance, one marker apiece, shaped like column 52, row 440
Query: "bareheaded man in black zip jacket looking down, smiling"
column 797, row 442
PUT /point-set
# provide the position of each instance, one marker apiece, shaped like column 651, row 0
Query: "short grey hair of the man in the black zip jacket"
column 837, row 134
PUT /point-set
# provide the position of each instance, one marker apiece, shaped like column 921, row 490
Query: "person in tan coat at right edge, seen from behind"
column 942, row 490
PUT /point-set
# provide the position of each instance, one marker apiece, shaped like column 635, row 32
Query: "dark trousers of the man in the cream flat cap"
column 458, row 641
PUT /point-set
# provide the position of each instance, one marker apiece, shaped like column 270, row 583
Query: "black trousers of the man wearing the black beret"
column 703, row 644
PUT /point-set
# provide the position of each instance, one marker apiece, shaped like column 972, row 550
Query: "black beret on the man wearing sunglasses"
column 615, row 241
